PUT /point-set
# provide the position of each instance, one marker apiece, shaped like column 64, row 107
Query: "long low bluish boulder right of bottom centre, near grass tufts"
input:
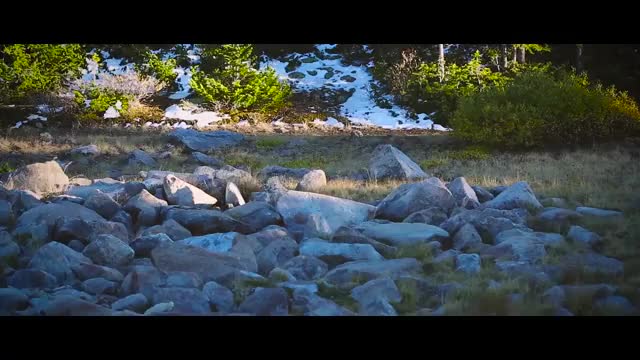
column 369, row 270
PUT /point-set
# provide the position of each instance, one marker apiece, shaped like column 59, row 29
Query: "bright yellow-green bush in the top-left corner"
column 33, row 69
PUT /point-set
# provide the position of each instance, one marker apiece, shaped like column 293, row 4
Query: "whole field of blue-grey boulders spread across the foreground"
column 192, row 243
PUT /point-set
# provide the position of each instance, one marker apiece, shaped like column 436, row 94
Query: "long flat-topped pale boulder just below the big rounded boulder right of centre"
column 402, row 234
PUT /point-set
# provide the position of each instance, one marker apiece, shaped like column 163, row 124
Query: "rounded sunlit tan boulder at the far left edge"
column 41, row 178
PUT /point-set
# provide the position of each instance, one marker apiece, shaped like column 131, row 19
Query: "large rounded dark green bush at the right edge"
column 538, row 108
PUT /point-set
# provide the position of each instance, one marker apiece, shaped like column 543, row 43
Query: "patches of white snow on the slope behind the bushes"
column 312, row 74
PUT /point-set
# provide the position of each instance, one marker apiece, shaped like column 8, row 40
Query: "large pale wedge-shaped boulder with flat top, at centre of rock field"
column 337, row 212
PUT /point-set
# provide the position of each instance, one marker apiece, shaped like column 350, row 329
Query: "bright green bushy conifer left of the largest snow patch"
column 227, row 76
